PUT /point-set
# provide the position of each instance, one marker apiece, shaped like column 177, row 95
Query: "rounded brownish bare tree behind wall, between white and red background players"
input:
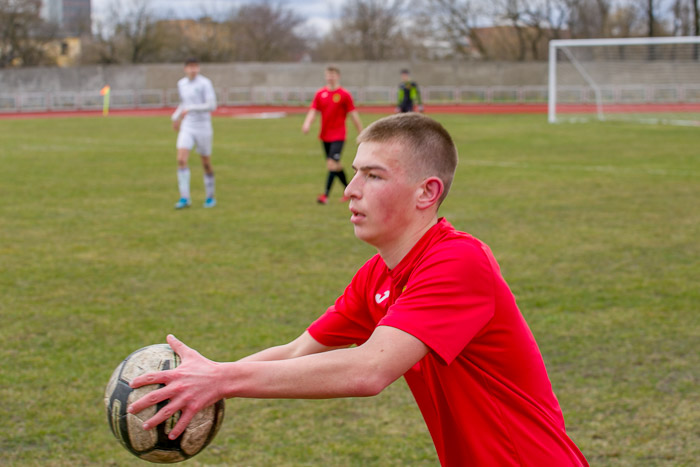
column 266, row 32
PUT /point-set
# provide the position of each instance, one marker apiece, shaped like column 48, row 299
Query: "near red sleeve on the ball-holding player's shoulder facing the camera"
column 448, row 298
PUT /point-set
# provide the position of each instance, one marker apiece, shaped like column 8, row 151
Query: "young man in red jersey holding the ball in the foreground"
column 431, row 306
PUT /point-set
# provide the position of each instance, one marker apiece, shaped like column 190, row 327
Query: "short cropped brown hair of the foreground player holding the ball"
column 430, row 147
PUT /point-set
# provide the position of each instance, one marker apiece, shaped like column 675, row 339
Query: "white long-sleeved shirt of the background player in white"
column 199, row 99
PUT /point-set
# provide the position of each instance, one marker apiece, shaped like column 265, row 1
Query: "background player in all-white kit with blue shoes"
column 192, row 121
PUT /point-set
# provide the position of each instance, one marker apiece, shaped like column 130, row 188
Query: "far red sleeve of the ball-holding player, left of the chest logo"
column 348, row 321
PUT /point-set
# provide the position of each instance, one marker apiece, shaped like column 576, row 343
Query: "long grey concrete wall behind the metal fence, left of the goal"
column 359, row 74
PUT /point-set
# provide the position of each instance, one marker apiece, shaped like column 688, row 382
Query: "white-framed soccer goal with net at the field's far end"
column 652, row 80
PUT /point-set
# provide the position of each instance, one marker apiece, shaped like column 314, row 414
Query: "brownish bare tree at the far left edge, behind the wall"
column 24, row 34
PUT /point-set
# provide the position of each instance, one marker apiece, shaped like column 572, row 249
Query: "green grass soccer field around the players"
column 596, row 228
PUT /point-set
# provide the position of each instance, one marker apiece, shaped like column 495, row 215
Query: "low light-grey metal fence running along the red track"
column 371, row 95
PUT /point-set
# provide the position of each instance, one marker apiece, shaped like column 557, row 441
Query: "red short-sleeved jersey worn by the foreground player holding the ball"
column 482, row 388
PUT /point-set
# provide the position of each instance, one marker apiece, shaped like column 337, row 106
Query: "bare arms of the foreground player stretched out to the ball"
column 348, row 372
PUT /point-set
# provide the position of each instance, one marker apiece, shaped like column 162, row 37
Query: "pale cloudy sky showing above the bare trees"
column 318, row 13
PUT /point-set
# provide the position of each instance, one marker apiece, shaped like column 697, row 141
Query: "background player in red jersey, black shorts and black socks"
column 334, row 104
